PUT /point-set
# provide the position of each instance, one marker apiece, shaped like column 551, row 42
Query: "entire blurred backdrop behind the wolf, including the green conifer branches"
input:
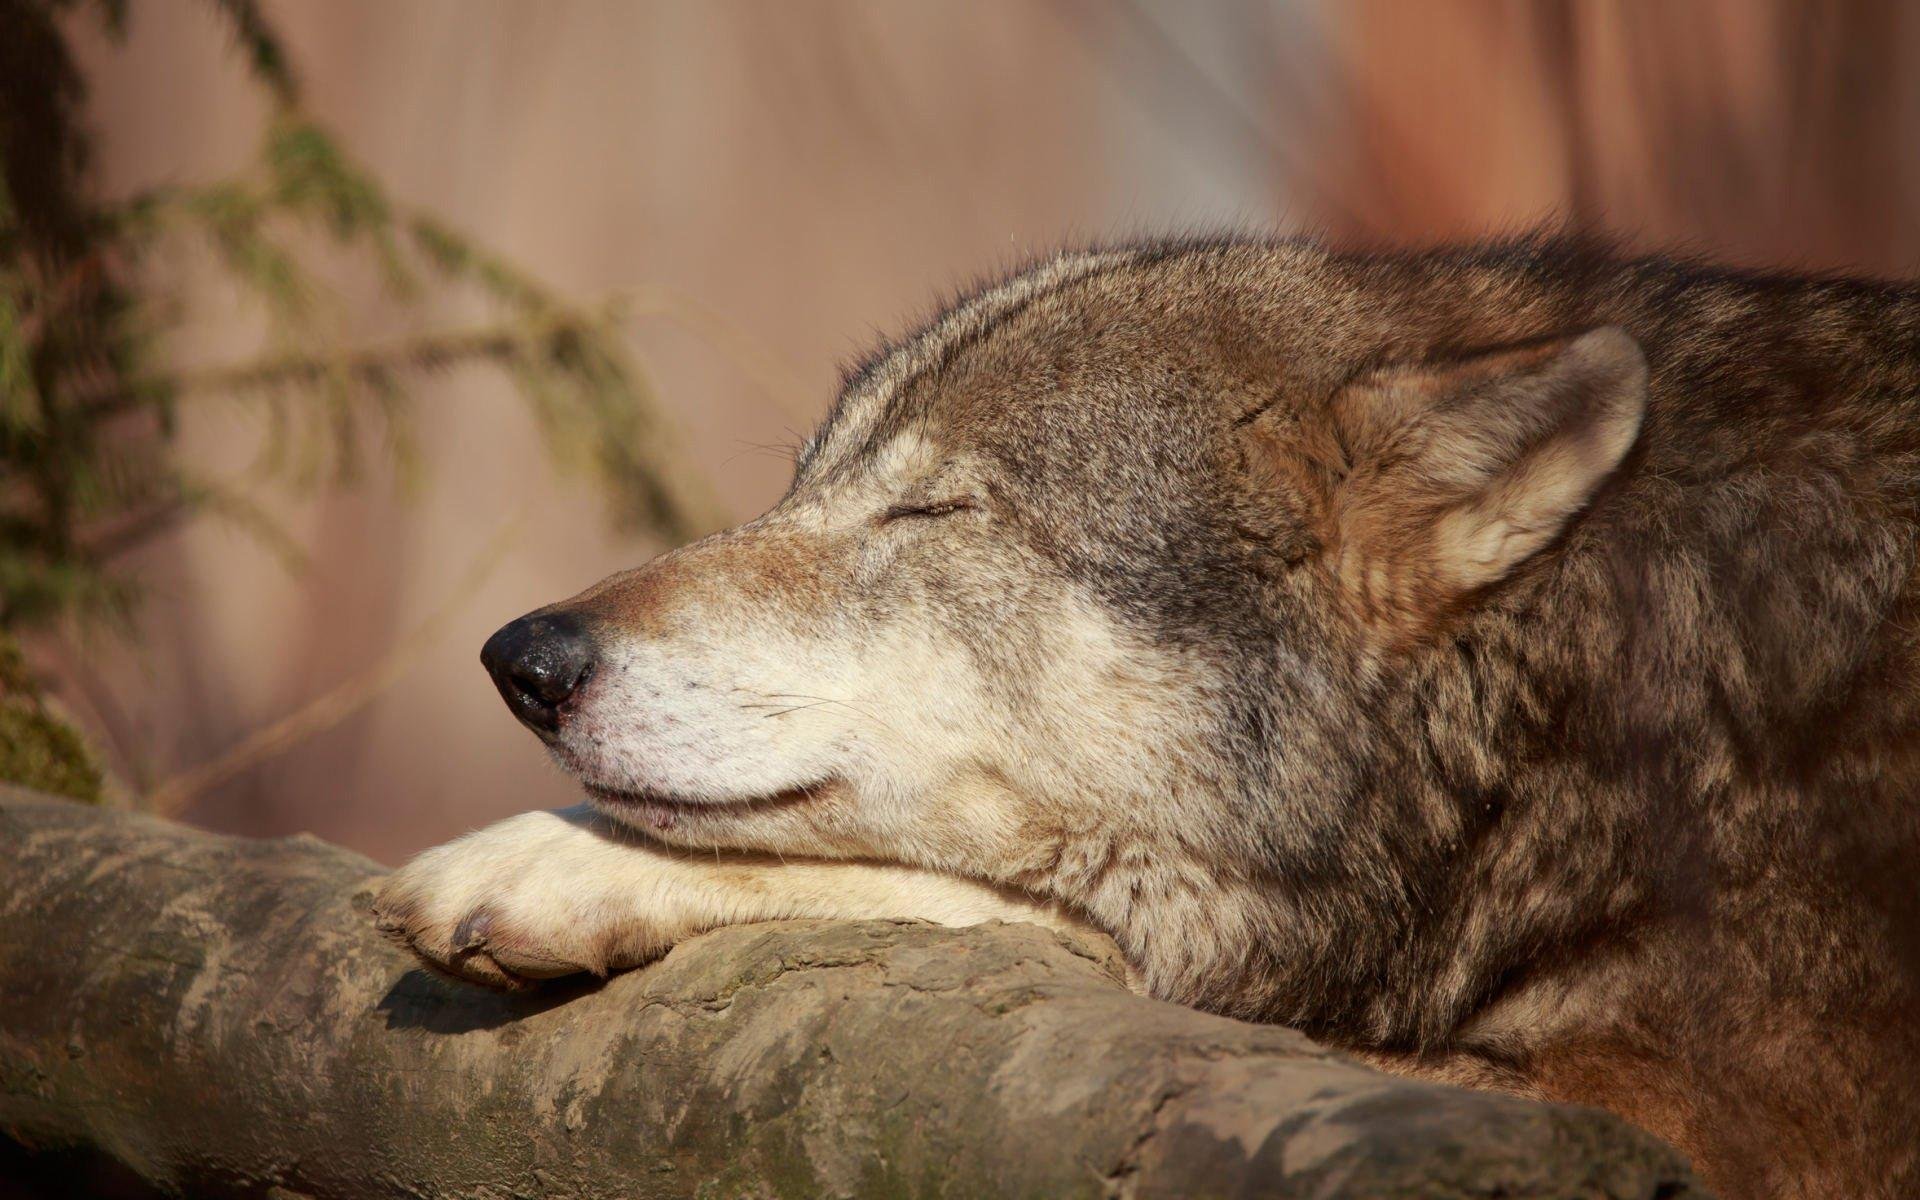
column 370, row 325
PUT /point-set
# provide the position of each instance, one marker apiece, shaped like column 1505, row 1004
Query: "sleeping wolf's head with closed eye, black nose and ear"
column 1111, row 585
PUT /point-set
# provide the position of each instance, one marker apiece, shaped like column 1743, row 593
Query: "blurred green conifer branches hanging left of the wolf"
column 91, row 400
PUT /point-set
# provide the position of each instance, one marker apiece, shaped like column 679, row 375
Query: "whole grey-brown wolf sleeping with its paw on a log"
column 1495, row 661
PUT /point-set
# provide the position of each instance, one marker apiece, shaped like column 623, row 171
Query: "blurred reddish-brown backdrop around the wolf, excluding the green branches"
column 775, row 183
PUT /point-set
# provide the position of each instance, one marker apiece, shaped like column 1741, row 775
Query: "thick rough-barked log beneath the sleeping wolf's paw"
column 218, row 1017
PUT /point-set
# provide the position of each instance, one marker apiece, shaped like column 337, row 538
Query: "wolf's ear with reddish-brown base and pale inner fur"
column 1458, row 473
